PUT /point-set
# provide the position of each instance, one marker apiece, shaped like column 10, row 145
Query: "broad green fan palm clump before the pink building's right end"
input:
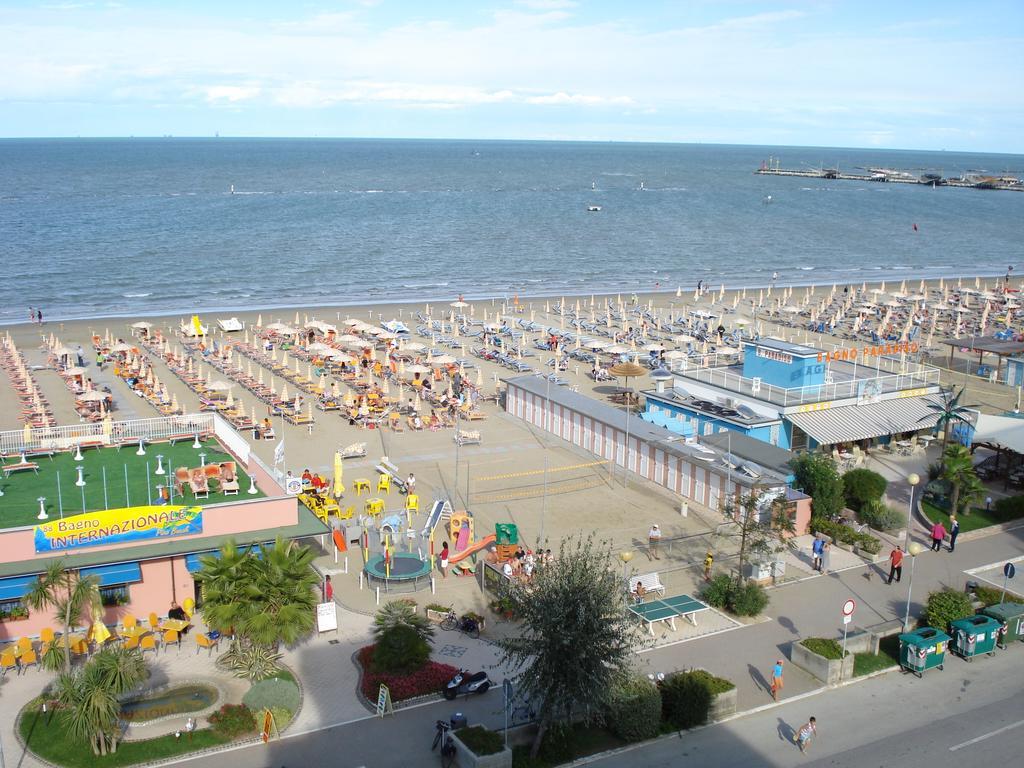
column 269, row 600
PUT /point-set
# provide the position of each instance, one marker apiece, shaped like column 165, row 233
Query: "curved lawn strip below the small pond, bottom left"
column 47, row 736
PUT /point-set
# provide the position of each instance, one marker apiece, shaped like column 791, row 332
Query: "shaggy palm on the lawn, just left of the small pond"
column 91, row 697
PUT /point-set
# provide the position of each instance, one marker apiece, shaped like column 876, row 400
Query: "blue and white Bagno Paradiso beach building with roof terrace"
column 800, row 398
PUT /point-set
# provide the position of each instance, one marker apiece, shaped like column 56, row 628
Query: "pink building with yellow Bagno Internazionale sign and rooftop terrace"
column 142, row 562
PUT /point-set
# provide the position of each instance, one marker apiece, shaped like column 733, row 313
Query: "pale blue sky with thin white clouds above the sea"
column 925, row 75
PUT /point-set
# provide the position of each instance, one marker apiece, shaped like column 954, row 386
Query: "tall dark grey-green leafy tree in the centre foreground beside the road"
column 577, row 642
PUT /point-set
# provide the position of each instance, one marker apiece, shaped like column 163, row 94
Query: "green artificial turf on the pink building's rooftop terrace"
column 20, row 503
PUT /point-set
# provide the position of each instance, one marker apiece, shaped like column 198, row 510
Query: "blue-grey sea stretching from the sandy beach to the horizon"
column 142, row 227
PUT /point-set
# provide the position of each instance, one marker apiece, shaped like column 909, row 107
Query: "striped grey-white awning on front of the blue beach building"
column 852, row 423
